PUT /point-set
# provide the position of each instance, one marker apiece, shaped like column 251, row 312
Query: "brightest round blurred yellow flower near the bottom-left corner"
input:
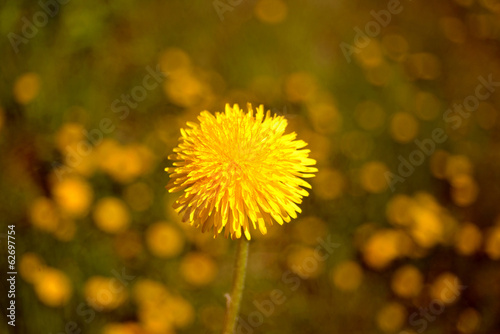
column 53, row 288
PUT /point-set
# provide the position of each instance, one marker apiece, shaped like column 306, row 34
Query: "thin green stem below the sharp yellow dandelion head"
column 233, row 302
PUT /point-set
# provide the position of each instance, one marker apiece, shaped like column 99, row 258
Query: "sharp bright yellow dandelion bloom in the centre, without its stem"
column 239, row 170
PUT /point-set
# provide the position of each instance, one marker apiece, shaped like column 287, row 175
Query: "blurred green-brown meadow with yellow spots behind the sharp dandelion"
column 401, row 231
